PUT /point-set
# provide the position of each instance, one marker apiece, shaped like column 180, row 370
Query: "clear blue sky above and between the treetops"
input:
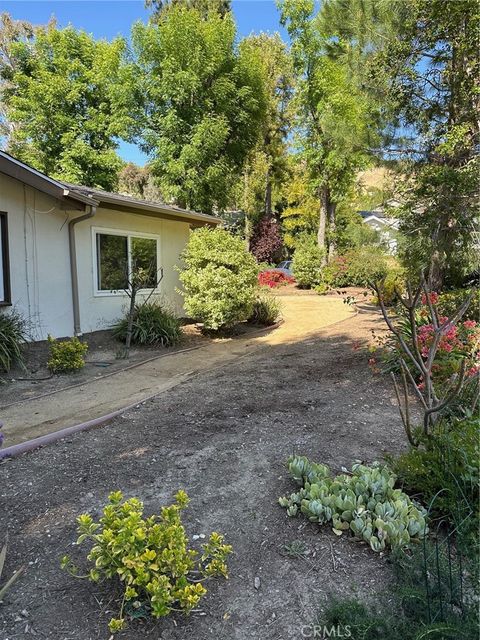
column 109, row 18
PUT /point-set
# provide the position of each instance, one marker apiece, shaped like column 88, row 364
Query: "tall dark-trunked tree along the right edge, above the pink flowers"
column 422, row 57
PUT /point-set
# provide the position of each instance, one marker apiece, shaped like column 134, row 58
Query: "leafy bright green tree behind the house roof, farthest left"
column 66, row 101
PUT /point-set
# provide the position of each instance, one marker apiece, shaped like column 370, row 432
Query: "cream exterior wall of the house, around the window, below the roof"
column 40, row 260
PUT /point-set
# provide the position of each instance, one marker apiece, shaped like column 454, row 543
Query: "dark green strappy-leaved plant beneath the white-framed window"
column 152, row 325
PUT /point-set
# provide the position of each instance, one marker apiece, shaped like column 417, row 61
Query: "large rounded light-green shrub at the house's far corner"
column 219, row 279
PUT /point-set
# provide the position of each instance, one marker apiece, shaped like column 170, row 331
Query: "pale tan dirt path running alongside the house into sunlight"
column 303, row 315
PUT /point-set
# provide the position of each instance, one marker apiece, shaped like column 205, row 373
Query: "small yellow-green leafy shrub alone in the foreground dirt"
column 150, row 558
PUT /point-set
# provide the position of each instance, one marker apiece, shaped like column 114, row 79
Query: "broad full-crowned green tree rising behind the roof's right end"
column 204, row 103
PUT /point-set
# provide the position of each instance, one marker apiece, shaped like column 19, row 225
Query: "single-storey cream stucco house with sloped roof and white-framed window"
column 65, row 250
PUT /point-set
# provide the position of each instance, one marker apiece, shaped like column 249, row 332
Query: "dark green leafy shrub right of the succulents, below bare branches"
column 446, row 466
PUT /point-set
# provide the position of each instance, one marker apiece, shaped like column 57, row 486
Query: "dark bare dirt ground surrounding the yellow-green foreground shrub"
column 224, row 437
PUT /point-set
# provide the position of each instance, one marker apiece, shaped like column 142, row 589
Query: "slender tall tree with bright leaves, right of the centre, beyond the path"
column 334, row 116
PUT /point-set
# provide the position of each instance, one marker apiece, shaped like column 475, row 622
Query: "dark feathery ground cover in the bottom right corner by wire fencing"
column 413, row 613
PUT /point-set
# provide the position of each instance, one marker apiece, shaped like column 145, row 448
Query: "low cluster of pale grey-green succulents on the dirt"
column 364, row 503
